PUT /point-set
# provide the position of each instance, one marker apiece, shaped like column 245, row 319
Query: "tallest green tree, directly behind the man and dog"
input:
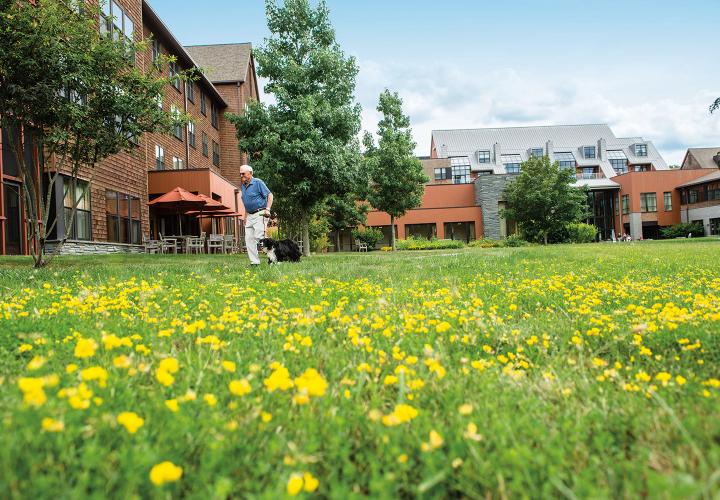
column 305, row 145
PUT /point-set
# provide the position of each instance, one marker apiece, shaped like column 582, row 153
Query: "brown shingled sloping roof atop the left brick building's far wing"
column 223, row 63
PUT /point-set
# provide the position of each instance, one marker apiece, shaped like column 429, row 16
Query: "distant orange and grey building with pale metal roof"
column 631, row 189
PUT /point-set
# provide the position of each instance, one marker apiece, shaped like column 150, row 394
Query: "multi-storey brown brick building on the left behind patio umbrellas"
column 113, row 213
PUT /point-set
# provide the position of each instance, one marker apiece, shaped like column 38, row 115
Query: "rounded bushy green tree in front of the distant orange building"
column 542, row 199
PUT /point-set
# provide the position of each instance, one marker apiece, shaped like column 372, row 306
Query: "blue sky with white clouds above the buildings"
column 646, row 68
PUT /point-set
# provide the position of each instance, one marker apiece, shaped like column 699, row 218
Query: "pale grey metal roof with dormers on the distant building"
column 520, row 140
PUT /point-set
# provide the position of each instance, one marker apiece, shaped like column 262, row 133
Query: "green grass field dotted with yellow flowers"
column 566, row 371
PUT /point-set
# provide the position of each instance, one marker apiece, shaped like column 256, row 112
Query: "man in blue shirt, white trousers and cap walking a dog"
column 257, row 199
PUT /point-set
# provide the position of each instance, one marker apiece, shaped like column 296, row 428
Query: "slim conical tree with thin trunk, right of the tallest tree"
column 397, row 180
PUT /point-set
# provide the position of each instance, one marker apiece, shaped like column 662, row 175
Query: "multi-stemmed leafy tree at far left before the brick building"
column 73, row 96
